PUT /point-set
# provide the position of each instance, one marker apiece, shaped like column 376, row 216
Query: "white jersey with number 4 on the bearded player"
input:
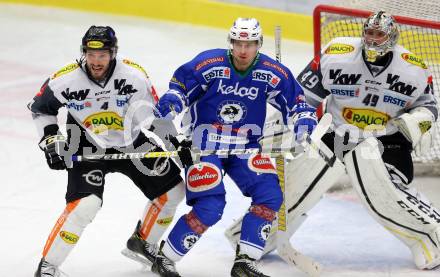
column 112, row 113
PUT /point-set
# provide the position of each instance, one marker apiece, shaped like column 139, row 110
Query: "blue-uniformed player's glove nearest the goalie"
column 304, row 120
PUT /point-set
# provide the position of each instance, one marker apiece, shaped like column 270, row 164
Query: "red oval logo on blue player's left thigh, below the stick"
column 203, row 176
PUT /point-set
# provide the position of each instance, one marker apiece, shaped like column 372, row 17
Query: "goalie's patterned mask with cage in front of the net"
column 379, row 35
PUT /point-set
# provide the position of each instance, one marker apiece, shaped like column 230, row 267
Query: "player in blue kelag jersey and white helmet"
column 225, row 92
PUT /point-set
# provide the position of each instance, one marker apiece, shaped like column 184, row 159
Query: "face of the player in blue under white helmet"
column 244, row 53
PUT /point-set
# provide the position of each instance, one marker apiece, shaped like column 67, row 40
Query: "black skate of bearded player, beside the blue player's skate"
column 139, row 250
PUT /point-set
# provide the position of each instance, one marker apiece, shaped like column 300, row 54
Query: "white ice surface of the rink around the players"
column 34, row 43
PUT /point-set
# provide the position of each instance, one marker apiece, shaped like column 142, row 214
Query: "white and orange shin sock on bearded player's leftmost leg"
column 69, row 227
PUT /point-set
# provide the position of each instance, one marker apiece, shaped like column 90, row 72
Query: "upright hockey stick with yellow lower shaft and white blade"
column 284, row 248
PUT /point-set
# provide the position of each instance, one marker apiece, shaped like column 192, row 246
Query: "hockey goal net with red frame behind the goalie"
column 419, row 28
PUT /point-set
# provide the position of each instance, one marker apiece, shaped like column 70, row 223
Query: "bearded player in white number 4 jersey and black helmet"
column 109, row 100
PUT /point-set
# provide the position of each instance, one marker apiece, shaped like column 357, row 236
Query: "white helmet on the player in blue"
column 246, row 29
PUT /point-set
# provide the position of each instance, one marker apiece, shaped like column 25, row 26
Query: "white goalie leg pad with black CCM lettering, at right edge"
column 406, row 213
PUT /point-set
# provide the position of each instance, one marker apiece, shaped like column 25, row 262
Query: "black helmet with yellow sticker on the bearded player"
column 100, row 38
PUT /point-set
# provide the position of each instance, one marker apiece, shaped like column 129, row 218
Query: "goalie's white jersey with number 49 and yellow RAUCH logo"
column 363, row 97
